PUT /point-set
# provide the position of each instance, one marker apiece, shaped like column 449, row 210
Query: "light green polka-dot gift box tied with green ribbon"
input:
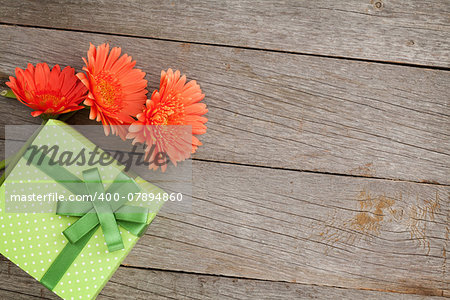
column 73, row 253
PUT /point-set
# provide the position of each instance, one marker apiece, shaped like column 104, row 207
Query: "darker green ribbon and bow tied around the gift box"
column 108, row 215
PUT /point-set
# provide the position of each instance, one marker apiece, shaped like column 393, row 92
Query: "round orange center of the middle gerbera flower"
column 108, row 91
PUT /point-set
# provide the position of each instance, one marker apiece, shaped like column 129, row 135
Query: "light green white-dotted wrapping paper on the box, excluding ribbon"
column 33, row 241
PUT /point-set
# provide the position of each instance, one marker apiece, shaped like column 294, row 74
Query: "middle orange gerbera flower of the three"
column 116, row 89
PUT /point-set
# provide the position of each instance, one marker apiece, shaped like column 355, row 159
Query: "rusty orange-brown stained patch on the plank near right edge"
column 374, row 211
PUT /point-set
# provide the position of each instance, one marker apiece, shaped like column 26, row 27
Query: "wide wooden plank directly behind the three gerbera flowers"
column 283, row 110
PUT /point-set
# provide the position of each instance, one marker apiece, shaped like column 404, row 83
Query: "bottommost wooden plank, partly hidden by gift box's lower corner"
column 130, row 283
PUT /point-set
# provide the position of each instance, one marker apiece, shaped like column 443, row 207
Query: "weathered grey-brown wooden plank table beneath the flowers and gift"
column 325, row 169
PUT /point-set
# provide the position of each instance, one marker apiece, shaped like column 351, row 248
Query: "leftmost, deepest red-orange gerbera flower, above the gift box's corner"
column 48, row 92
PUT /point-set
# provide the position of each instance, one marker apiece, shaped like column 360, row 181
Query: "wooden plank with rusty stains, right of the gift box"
column 306, row 228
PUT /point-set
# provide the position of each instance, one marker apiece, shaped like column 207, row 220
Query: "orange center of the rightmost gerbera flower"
column 169, row 112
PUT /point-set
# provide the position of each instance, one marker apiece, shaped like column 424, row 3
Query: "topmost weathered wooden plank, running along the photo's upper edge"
column 414, row 32
